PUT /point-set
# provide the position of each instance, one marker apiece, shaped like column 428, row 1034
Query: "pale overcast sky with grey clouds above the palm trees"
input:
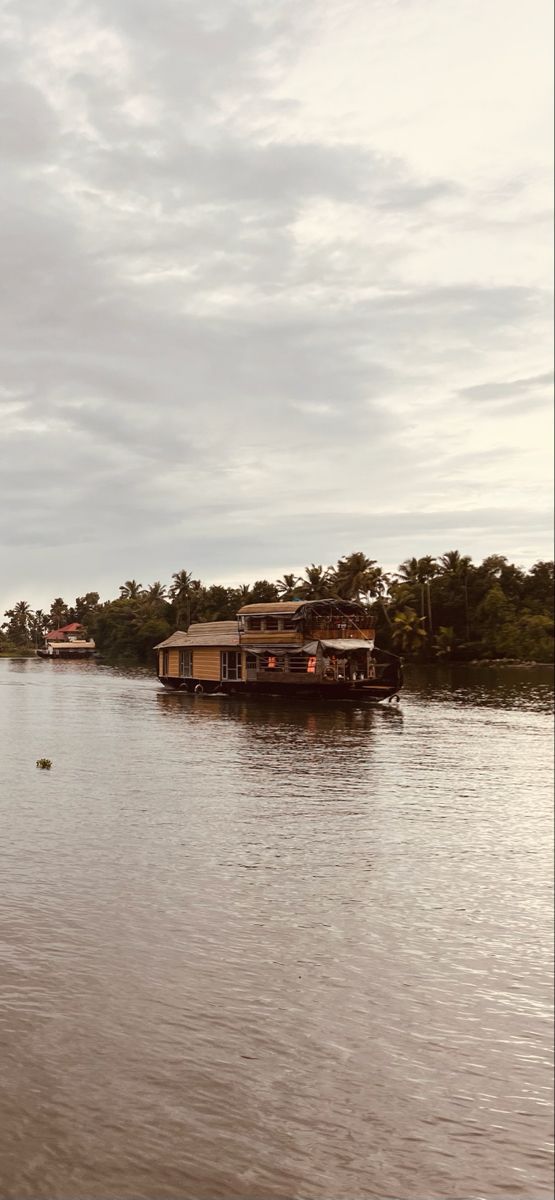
column 276, row 287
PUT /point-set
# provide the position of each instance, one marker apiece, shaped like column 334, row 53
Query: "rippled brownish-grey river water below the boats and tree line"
column 260, row 950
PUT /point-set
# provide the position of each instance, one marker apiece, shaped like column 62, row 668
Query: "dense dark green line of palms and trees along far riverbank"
column 444, row 608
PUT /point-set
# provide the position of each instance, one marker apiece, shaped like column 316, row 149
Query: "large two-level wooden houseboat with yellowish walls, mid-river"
column 315, row 649
